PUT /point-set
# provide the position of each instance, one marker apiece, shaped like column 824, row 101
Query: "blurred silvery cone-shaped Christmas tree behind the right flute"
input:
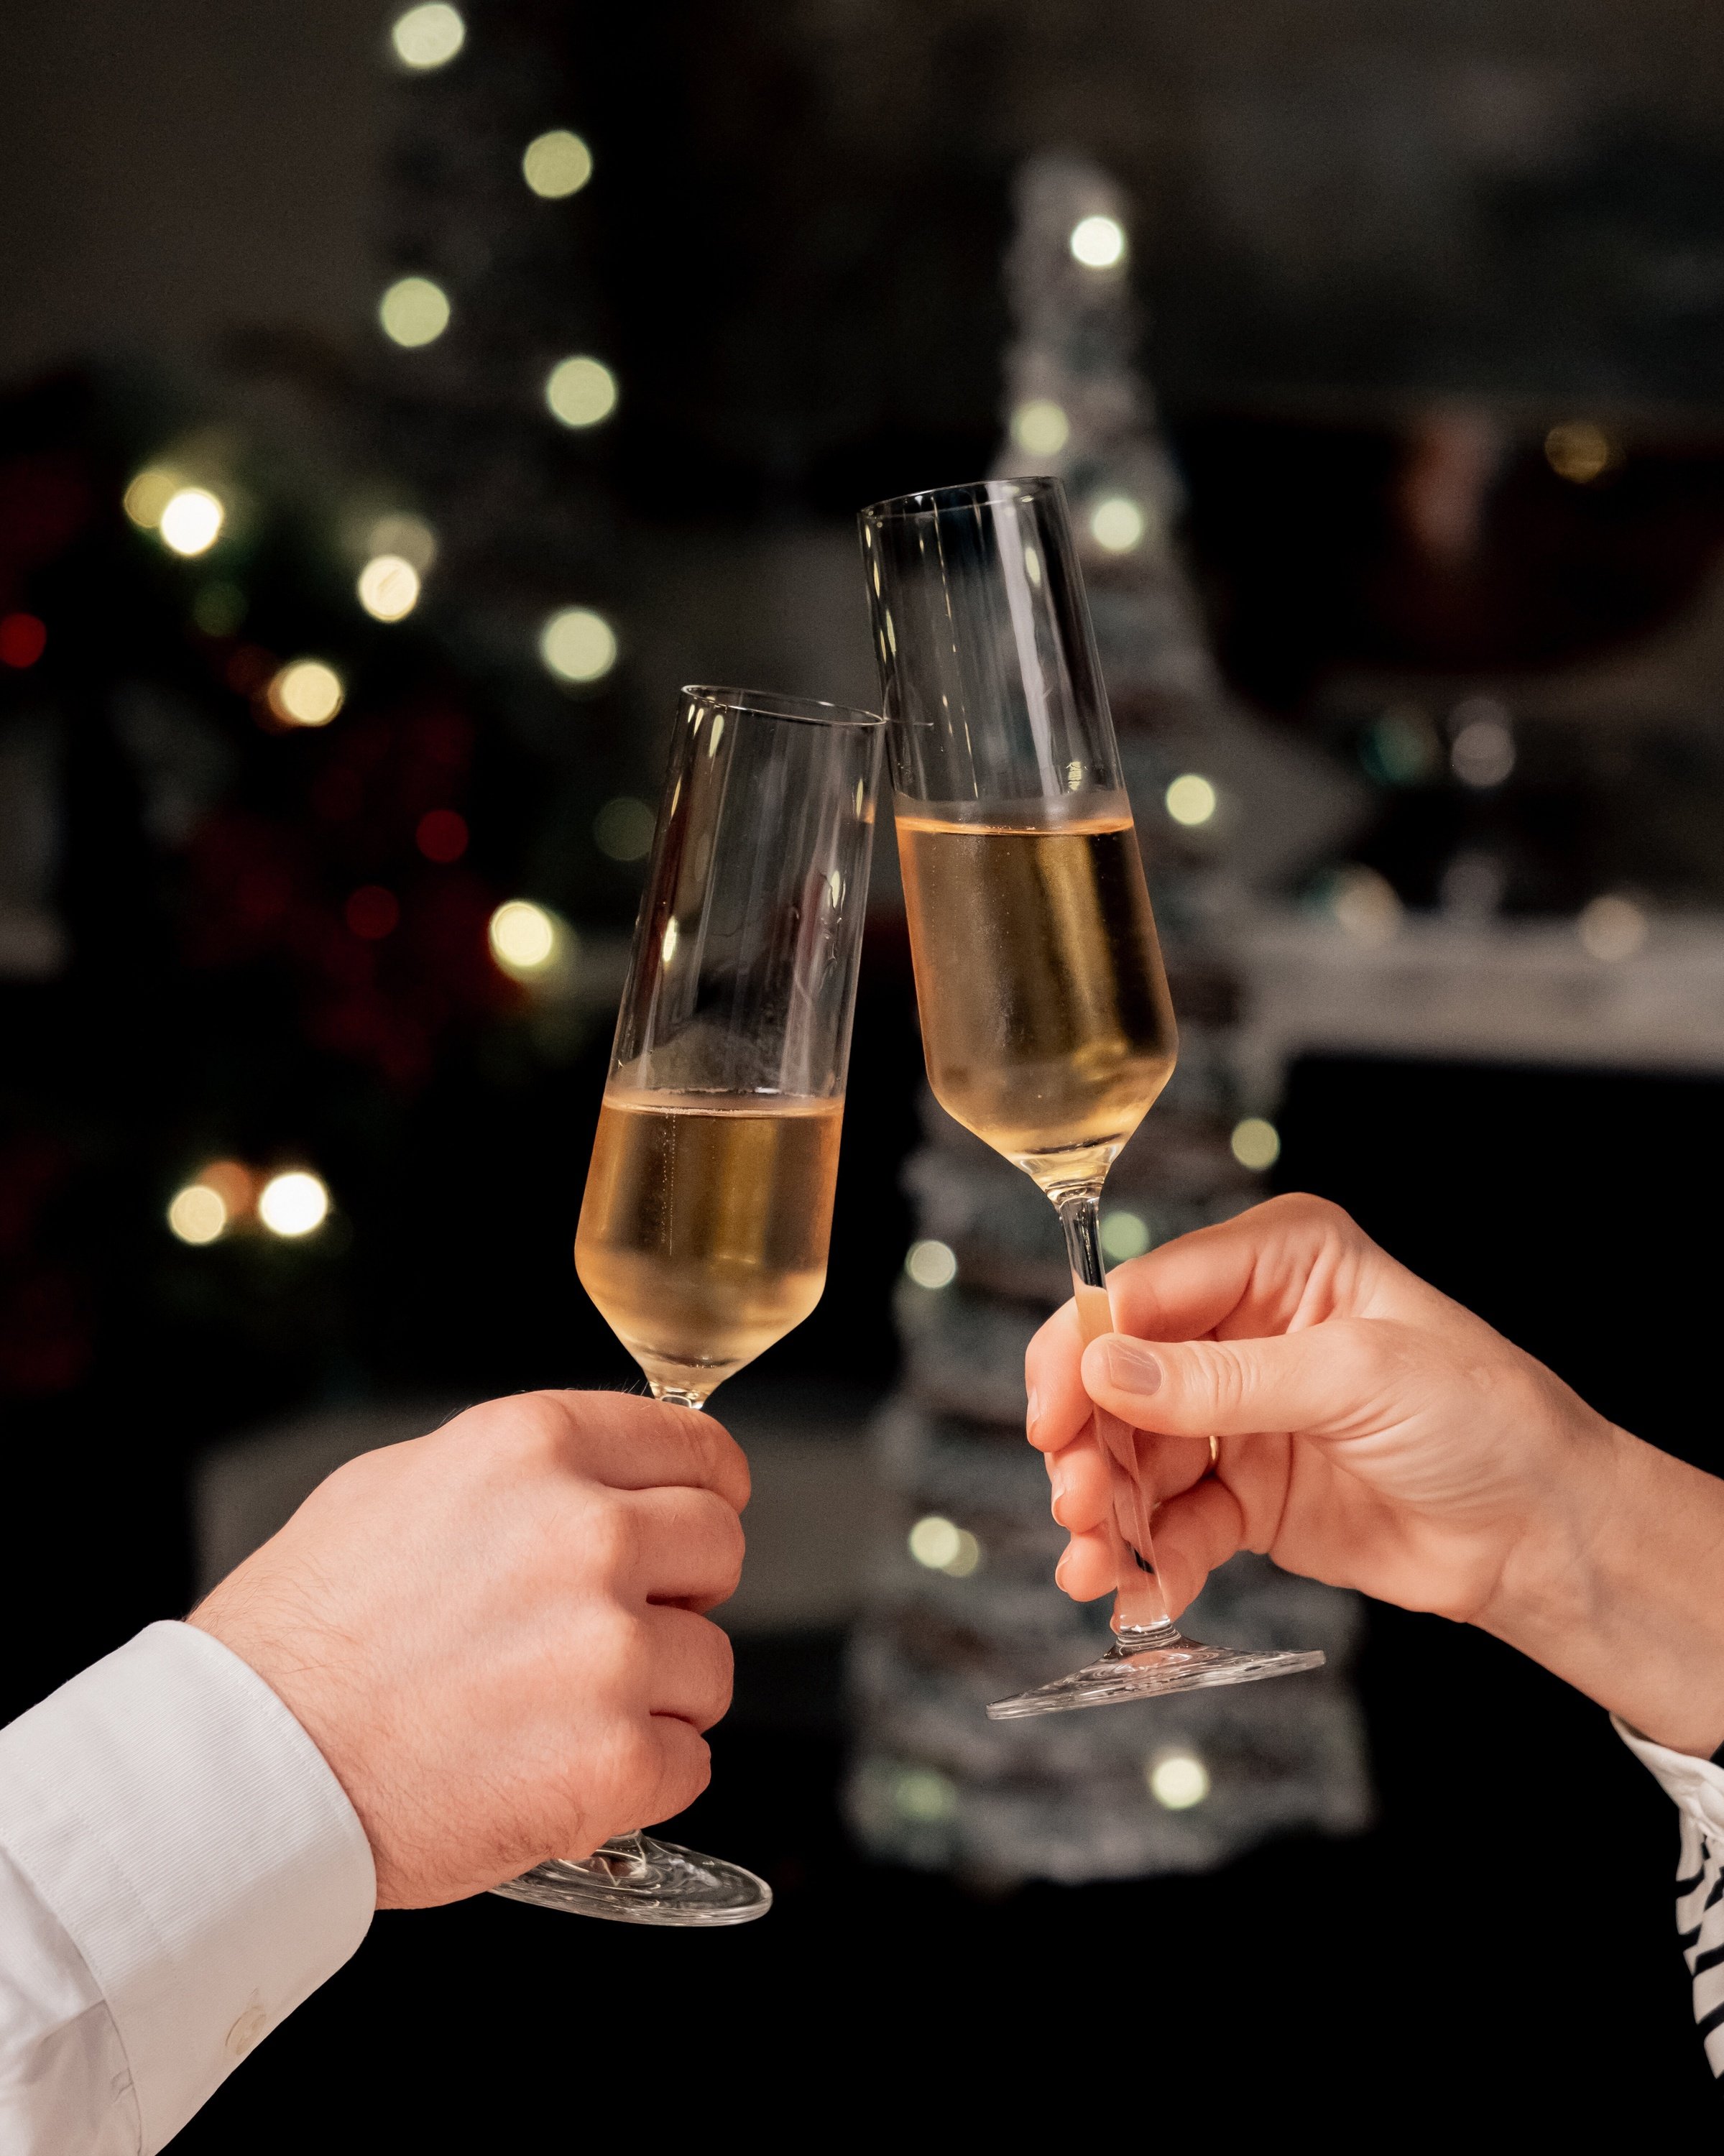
column 962, row 1601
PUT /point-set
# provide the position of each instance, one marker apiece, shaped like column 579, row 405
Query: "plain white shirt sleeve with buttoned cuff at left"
column 178, row 1872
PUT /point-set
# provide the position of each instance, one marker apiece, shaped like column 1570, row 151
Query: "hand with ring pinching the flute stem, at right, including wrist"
column 1376, row 1435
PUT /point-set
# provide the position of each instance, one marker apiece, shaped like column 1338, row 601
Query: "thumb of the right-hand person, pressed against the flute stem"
column 1318, row 1383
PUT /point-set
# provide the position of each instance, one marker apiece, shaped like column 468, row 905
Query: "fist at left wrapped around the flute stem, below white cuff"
column 495, row 1633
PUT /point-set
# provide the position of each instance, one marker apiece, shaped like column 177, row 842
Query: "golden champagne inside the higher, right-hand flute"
column 1046, row 1014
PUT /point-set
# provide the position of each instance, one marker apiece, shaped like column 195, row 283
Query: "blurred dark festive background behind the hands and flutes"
column 395, row 409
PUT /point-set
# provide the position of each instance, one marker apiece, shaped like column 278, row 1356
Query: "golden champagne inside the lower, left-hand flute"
column 706, row 1226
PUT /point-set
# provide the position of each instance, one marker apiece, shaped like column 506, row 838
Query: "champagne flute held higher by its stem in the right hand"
column 1046, row 1014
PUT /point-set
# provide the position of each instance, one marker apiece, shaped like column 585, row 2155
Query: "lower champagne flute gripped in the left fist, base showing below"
column 708, row 1206
